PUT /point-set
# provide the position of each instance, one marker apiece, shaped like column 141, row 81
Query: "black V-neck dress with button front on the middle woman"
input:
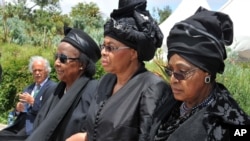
column 127, row 114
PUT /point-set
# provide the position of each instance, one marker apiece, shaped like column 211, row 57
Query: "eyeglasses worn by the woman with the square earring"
column 179, row 75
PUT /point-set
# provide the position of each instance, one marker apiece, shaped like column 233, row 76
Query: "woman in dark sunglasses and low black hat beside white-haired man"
column 75, row 66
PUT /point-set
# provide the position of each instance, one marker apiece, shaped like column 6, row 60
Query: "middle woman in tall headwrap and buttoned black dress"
column 128, row 94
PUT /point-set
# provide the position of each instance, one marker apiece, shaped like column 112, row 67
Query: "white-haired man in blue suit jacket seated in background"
column 32, row 98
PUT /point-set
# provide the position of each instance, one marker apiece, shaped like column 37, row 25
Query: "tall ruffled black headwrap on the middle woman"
column 133, row 25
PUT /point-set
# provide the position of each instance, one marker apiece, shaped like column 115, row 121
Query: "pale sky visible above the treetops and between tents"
column 107, row 6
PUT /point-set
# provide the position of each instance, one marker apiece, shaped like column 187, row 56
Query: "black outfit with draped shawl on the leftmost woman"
column 63, row 114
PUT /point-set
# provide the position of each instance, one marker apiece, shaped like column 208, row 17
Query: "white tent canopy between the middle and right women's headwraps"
column 185, row 9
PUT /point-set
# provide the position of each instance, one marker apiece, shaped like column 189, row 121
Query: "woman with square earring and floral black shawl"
column 201, row 109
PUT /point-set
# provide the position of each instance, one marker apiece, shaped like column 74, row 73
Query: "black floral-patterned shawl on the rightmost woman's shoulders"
column 208, row 124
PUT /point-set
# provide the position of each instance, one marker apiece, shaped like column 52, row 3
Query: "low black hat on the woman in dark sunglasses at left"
column 83, row 42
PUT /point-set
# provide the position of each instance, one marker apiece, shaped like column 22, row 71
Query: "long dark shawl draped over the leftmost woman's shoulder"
column 51, row 116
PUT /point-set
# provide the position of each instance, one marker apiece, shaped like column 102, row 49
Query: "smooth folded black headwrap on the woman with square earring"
column 201, row 39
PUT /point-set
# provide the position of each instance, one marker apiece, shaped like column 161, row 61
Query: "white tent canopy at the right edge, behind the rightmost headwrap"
column 239, row 10
